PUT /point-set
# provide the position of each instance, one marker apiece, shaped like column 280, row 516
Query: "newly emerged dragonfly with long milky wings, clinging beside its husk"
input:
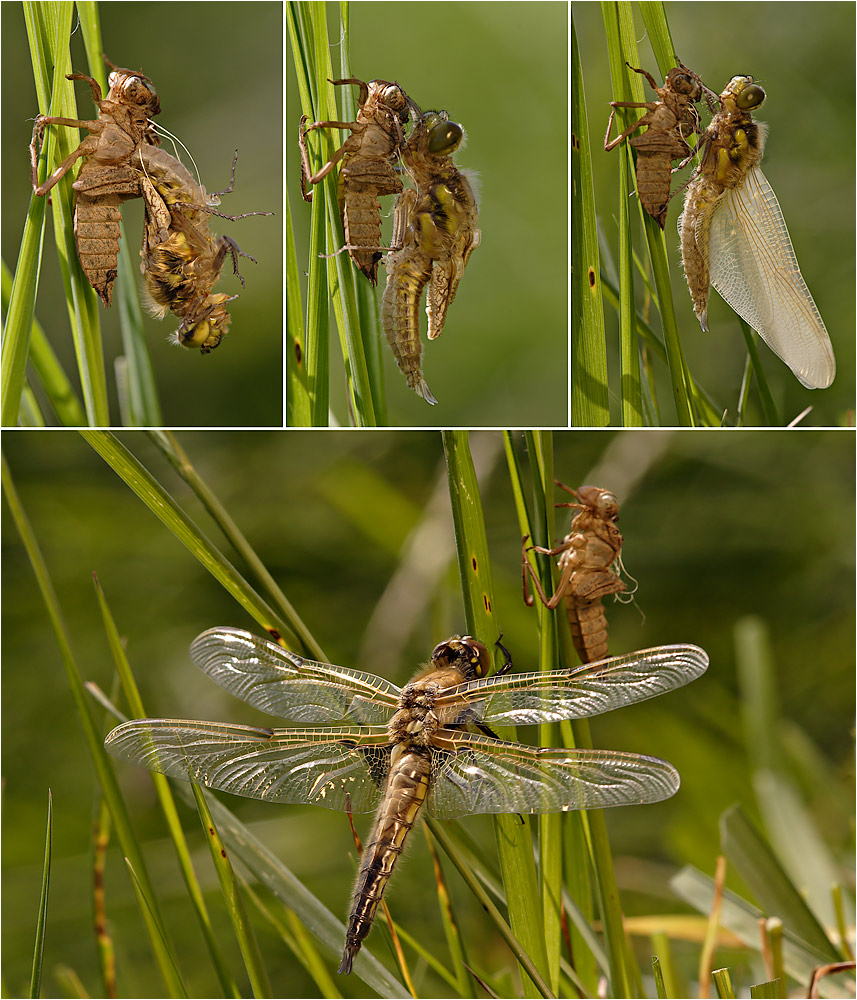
column 734, row 237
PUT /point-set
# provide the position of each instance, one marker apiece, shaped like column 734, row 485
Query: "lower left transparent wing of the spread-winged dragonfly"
column 338, row 767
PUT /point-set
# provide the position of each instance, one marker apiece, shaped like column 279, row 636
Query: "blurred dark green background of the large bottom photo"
column 356, row 529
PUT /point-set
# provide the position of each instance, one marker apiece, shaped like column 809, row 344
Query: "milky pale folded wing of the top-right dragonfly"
column 753, row 266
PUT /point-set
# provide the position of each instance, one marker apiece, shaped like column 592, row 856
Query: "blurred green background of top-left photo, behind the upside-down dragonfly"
column 218, row 71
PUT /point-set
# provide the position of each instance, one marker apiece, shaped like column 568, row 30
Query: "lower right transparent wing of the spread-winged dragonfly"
column 472, row 773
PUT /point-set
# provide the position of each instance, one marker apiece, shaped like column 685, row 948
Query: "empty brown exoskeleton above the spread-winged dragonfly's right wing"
column 587, row 573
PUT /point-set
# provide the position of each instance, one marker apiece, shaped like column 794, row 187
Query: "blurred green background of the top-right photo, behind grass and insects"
column 803, row 55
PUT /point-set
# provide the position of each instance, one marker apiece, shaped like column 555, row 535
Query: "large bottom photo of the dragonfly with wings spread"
column 273, row 556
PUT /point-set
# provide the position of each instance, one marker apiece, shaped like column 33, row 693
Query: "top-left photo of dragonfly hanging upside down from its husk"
column 213, row 80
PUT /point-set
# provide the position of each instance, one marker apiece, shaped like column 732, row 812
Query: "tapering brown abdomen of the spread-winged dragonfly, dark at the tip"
column 407, row 786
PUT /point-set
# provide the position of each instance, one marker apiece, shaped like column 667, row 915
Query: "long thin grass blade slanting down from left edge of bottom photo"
column 92, row 735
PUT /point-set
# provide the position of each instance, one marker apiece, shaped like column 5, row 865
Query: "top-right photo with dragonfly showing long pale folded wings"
column 686, row 118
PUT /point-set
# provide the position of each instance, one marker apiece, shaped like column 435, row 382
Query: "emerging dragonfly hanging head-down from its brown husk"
column 181, row 260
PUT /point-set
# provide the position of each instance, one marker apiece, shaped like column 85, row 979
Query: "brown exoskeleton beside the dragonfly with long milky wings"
column 669, row 121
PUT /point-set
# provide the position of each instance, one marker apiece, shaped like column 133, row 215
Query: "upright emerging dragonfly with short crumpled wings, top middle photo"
column 435, row 230
